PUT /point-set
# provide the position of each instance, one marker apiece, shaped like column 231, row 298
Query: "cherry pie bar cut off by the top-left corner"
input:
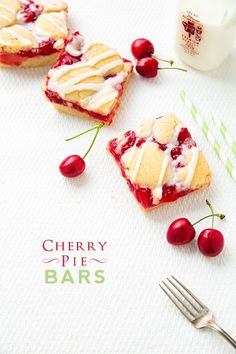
column 32, row 32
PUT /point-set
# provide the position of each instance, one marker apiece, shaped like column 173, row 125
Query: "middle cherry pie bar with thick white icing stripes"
column 88, row 80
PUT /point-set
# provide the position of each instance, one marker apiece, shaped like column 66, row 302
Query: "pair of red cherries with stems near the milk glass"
column 148, row 64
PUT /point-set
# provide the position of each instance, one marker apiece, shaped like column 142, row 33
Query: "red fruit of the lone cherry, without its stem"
column 72, row 166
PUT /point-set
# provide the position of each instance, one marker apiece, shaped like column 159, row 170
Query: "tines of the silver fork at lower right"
column 184, row 299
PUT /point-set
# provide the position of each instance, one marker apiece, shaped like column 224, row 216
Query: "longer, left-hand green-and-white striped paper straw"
column 227, row 163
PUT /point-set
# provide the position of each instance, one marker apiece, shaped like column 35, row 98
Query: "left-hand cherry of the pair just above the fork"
column 180, row 231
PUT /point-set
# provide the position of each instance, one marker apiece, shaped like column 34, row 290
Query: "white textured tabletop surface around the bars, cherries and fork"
column 128, row 313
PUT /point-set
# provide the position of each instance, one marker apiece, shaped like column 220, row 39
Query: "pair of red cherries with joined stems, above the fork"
column 210, row 241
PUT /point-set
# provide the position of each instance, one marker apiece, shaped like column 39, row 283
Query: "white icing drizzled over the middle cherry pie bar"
column 104, row 92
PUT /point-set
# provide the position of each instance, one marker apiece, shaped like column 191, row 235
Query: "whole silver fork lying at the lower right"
column 191, row 307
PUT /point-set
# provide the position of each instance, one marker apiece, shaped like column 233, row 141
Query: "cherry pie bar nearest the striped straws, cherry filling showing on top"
column 160, row 161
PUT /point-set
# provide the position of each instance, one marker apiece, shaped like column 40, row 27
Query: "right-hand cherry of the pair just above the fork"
column 210, row 242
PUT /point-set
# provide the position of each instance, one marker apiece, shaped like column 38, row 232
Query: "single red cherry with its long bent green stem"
column 74, row 165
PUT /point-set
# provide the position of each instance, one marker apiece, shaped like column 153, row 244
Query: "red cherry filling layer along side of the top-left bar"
column 45, row 48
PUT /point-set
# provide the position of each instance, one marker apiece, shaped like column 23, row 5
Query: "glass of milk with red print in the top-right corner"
column 205, row 32
